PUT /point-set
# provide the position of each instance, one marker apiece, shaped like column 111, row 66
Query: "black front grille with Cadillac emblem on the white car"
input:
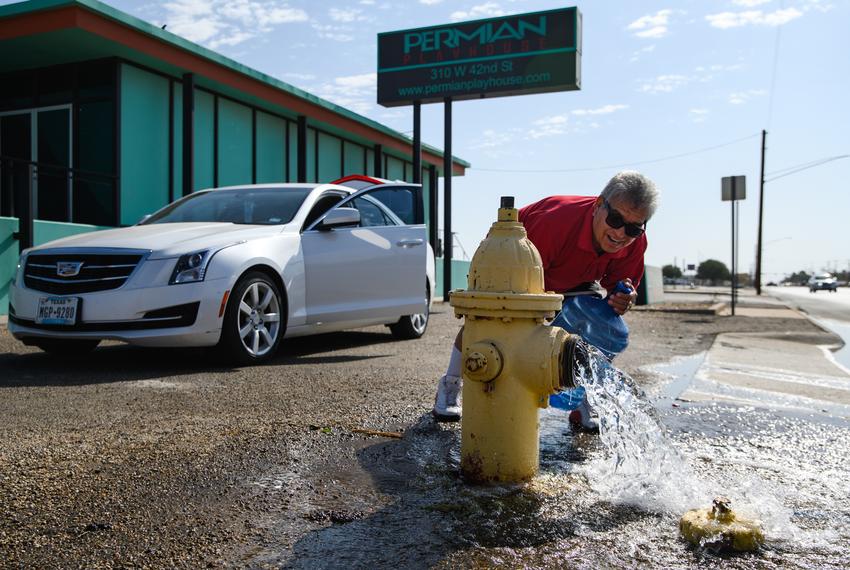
column 97, row 272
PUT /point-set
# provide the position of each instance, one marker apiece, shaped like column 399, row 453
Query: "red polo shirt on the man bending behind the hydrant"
column 561, row 229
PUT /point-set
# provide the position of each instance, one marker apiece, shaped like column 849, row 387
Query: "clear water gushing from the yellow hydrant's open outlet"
column 641, row 467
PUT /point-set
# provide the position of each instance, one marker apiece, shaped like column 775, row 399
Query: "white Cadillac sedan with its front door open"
column 238, row 267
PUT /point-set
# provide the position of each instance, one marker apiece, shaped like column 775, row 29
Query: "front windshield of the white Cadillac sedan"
column 264, row 206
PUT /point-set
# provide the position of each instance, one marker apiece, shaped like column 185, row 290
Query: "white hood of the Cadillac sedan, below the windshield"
column 167, row 240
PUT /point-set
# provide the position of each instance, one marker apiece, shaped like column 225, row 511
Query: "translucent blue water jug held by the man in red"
column 595, row 321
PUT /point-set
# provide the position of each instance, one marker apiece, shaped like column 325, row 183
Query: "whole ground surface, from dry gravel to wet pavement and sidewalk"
column 150, row 458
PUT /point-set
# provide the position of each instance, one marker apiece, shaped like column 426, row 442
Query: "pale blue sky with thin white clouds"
column 679, row 90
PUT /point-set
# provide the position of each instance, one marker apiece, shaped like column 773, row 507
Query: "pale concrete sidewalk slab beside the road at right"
column 788, row 369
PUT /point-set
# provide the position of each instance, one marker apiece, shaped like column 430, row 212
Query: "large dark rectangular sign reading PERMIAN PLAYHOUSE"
column 538, row 52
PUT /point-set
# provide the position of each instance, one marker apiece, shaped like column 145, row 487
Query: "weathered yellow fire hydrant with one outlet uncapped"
column 512, row 361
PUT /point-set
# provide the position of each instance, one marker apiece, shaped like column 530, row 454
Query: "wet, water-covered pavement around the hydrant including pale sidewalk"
column 760, row 417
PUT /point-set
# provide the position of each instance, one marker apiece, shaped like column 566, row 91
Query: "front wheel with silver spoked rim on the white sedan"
column 254, row 321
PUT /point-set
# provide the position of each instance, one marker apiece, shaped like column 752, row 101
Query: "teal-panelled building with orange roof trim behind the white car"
column 105, row 118
